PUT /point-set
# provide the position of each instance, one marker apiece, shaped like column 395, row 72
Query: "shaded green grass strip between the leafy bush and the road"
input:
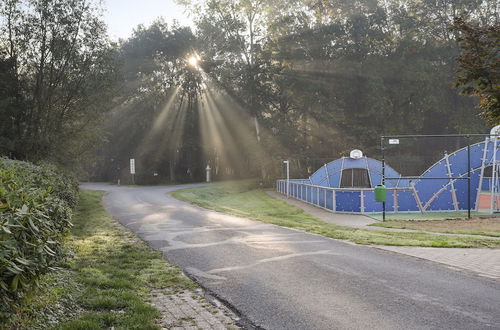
column 107, row 282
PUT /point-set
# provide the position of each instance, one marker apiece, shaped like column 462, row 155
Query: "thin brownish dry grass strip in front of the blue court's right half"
column 475, row 226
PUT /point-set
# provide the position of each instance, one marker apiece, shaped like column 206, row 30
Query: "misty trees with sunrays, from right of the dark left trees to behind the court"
column 306, row 80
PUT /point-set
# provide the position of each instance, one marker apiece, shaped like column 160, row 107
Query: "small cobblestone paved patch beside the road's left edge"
column 189, row 310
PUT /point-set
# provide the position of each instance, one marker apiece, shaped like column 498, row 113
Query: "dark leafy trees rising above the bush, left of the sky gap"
column 57, row 70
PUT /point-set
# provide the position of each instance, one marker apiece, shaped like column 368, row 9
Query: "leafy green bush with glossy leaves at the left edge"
column 35, row 212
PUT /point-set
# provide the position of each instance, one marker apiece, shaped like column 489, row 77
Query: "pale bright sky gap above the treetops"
column 122, row 16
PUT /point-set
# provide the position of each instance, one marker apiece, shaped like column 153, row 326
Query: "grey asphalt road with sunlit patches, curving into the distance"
column 279, row 278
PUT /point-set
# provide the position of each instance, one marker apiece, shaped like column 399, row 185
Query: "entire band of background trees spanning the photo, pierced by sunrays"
column 254, row 82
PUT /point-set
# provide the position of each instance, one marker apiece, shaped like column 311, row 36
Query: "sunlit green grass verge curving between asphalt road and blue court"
column 245, row 201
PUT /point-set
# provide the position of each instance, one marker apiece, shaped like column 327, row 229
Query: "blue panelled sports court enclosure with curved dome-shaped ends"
column 327, row 186
